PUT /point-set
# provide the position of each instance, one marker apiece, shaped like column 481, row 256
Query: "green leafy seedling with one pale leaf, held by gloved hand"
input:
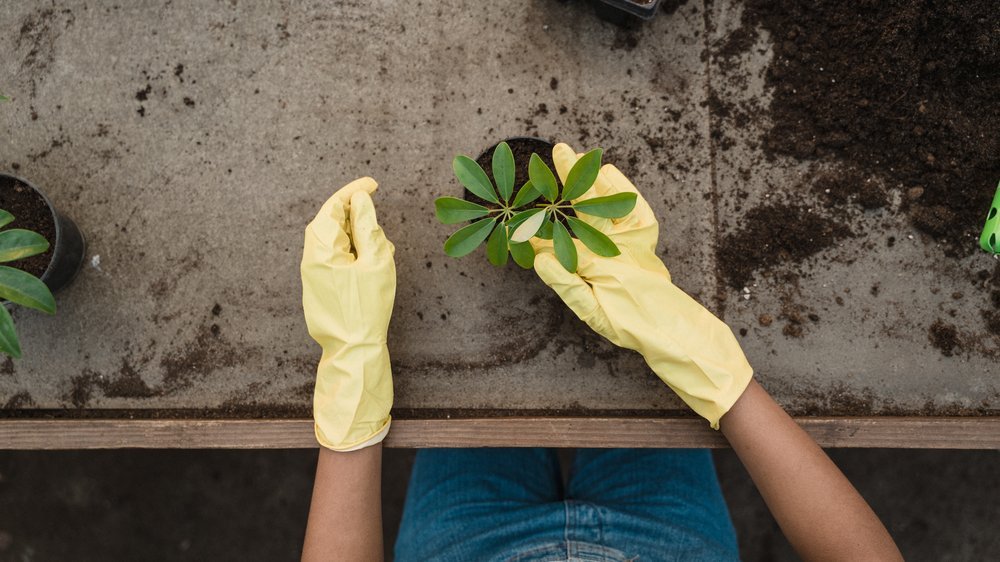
column 508, row 221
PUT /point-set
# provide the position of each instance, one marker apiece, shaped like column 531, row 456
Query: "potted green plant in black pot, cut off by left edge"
column 31, row 268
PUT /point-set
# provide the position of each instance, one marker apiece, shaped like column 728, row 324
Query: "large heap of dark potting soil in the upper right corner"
column 903, row 88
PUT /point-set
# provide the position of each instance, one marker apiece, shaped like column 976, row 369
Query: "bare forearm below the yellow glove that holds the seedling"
column 820, row 512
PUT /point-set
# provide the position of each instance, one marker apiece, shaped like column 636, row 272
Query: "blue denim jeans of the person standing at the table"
column 619, row 504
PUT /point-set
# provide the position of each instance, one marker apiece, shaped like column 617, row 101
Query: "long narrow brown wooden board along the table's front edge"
column 893, row 432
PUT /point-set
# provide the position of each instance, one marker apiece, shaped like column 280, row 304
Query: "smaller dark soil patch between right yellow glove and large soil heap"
column 773, row 234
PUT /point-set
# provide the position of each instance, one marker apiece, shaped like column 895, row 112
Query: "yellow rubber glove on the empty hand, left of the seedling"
column 348, row 289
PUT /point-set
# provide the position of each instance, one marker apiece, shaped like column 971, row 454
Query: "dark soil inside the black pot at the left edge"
column 31, row 213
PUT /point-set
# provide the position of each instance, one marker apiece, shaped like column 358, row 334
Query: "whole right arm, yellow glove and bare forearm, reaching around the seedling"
column 630, row 300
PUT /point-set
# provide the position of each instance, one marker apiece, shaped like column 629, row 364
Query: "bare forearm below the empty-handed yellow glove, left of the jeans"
column 345, row 518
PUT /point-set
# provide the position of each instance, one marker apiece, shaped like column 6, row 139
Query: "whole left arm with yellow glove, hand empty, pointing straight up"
column 348, row 288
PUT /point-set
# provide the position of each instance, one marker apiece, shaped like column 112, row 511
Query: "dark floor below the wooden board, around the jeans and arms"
column 249, row 506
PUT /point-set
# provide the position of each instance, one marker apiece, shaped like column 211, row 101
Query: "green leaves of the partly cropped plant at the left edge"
column 18, row 286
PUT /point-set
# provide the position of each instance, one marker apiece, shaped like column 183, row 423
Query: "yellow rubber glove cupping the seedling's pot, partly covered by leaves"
column 630, row 300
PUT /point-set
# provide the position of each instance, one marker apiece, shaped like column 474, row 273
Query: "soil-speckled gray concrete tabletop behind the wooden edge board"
column 192, row 142
